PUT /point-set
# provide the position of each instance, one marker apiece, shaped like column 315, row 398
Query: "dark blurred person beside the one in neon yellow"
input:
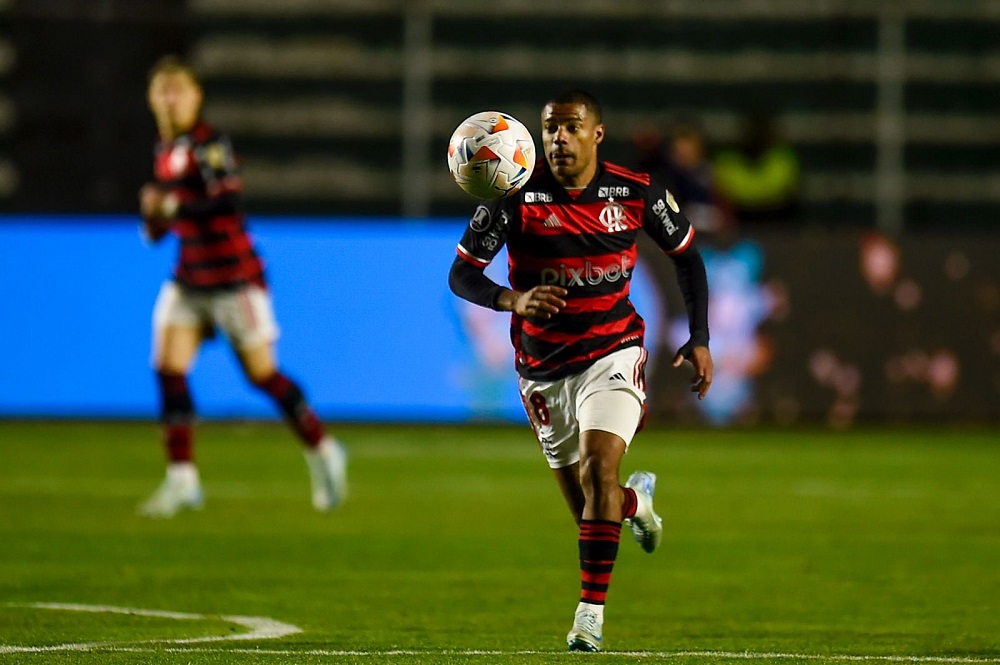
column 683, row 163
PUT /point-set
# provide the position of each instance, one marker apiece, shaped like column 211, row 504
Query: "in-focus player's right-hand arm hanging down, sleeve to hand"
column 671, row 230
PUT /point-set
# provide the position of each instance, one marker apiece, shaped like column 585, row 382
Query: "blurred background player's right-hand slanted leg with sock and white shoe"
column 325, row 456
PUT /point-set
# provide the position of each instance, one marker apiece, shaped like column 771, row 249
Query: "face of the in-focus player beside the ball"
column 570, row 136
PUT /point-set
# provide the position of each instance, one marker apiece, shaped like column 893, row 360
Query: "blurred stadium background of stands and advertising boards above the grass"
column 879, row 301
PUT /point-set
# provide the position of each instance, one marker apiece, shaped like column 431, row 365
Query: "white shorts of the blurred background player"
column 245, row 315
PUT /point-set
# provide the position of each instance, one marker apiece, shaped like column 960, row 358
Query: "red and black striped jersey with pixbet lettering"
column 585, row 244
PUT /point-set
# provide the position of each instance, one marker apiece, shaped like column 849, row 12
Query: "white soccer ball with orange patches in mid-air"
column 491, row 155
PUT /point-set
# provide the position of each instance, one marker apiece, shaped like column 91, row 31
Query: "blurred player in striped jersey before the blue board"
column 218, row 284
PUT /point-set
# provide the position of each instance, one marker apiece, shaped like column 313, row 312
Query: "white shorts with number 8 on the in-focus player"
column 607, row 396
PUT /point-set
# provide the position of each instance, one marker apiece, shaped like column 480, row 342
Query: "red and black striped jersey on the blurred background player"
column 216, row 252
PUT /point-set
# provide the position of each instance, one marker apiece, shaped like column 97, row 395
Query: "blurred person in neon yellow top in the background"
column 760, row 178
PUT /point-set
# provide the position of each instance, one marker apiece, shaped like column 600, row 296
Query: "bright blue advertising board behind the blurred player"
column 369, row 327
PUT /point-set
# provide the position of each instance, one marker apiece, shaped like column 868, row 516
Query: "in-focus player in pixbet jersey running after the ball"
column 571, row 241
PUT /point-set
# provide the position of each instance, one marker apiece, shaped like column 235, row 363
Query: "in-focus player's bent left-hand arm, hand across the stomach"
column 486, row 234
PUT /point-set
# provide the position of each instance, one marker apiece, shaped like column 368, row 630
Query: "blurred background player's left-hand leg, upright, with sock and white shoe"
column 176, row 347
